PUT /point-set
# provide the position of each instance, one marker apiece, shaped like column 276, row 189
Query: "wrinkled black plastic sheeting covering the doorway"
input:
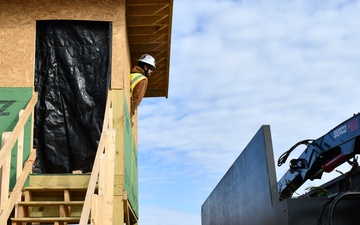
column 72, row 78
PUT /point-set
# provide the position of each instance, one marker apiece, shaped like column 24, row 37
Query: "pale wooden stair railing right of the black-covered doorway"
column 102, row 175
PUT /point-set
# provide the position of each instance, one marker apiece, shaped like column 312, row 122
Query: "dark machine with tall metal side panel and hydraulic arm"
column 249, row 193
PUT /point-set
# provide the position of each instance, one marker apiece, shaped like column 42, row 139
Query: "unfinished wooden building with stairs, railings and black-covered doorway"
column 68, row 149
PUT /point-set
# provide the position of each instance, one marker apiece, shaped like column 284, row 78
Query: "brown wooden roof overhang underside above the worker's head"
column 149, row 31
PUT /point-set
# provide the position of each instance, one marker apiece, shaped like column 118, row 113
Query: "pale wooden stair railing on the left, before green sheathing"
column 7, row 202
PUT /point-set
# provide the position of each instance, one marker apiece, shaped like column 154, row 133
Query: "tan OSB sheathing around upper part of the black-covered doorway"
column 18, row 29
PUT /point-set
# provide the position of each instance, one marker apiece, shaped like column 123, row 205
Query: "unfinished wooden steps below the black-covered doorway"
column 50, row 199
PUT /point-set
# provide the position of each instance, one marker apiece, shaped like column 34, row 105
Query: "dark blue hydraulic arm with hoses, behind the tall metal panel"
column 324, row 154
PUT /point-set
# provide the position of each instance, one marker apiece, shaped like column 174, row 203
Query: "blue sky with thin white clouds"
column 237, row 65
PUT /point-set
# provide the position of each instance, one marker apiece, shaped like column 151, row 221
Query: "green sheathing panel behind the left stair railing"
column 12, row 100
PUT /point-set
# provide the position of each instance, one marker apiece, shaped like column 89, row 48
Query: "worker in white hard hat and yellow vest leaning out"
column 139, row 80
